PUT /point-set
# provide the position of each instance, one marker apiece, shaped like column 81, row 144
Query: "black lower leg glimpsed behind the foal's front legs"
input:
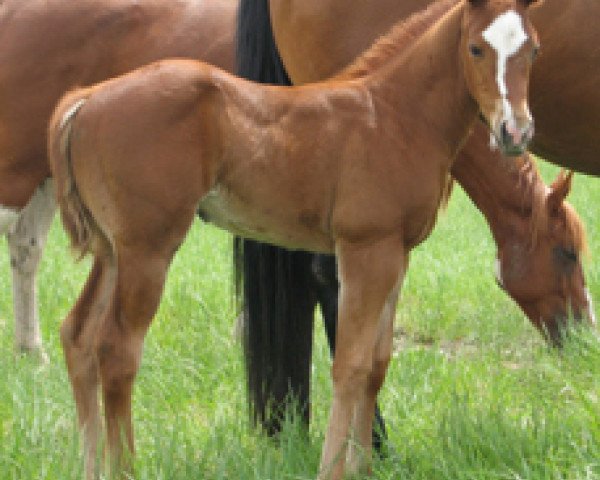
column 327, row 289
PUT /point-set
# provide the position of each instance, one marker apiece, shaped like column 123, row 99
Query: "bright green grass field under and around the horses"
column 472, row 393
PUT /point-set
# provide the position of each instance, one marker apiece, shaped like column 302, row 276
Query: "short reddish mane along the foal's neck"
column 396, row 40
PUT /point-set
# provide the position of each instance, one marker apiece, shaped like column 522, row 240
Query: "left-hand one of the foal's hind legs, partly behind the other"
column 78, row 334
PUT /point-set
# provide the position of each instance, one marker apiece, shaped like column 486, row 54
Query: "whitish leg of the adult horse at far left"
column 26, row 241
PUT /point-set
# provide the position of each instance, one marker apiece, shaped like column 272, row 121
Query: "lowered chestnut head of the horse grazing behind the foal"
column 543, row 272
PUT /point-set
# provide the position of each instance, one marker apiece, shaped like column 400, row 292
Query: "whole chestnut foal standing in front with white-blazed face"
column 357, row 165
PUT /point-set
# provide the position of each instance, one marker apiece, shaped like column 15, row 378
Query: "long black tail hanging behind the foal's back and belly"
column 275, row 285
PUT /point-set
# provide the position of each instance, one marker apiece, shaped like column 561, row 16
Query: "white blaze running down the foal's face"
column 505, row 35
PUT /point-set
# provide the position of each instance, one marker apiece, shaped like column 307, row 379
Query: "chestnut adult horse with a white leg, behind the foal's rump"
column 51, row 46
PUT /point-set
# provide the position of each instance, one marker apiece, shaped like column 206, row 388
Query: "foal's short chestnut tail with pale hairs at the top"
column 76, row 218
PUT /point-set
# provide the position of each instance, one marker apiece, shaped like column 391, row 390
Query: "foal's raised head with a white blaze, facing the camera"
column 498, row 47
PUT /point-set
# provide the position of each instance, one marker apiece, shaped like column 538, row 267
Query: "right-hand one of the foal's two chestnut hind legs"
column 139, row 284
